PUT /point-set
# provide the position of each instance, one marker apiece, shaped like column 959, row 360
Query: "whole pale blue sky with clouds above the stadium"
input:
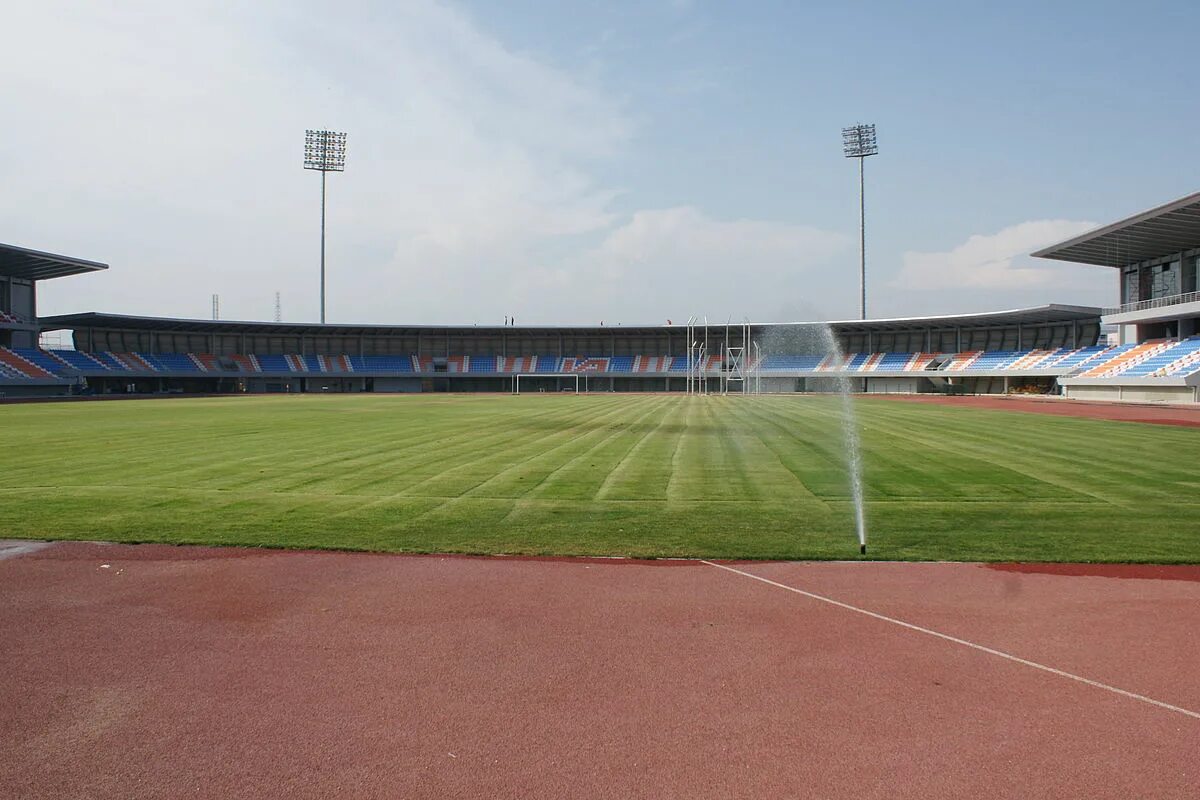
column 575, row 163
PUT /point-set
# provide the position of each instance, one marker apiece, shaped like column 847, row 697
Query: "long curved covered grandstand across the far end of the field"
column 1028, row 350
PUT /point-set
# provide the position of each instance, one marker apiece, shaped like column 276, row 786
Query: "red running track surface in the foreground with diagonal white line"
column 232, row 673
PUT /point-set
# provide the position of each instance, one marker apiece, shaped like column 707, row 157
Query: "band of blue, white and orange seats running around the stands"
column 1151, row 359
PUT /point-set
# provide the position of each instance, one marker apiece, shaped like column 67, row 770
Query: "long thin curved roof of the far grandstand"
column 1036, row 316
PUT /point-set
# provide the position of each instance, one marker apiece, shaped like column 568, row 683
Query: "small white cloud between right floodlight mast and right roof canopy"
column 997, row 261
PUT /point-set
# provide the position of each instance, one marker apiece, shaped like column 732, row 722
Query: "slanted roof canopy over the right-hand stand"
column 1165, row 231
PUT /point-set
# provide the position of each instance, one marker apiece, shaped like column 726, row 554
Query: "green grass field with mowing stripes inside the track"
column 613, row 476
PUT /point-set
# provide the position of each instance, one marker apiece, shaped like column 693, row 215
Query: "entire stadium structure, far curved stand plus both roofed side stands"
column 1047, row 350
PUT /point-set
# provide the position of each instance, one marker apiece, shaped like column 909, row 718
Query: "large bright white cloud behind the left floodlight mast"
column 169, row 145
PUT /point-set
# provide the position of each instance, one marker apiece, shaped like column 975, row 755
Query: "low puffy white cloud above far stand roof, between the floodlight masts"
column 657, row 264
